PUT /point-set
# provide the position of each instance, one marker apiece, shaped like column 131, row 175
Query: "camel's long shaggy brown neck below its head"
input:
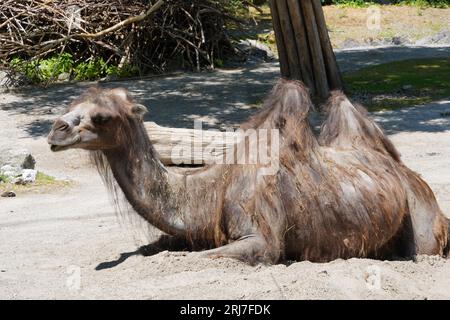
column 146, row 183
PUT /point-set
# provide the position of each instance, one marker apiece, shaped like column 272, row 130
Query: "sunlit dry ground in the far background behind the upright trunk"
column 352, row 27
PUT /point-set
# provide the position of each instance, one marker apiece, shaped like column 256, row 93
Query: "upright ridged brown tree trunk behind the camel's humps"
column 304, row 47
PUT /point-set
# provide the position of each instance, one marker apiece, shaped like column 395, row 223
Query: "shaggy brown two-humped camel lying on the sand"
column 343, row 194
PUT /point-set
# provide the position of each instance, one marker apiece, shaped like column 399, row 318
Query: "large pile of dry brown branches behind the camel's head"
column 150, row 34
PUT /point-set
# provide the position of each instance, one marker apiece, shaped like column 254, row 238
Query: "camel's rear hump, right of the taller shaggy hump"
column 348, row 125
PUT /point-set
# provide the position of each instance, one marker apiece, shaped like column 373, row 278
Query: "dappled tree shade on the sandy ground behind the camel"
column 222, row 98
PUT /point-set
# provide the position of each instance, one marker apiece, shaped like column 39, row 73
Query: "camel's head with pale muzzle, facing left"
column 95, row 121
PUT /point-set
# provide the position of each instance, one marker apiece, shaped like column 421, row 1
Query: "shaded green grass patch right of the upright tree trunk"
column 384, row 84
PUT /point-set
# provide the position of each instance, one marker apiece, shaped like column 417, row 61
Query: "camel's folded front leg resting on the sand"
column 252, row 249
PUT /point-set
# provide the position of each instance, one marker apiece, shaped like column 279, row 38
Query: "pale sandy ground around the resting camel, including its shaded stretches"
column 70, row 244
